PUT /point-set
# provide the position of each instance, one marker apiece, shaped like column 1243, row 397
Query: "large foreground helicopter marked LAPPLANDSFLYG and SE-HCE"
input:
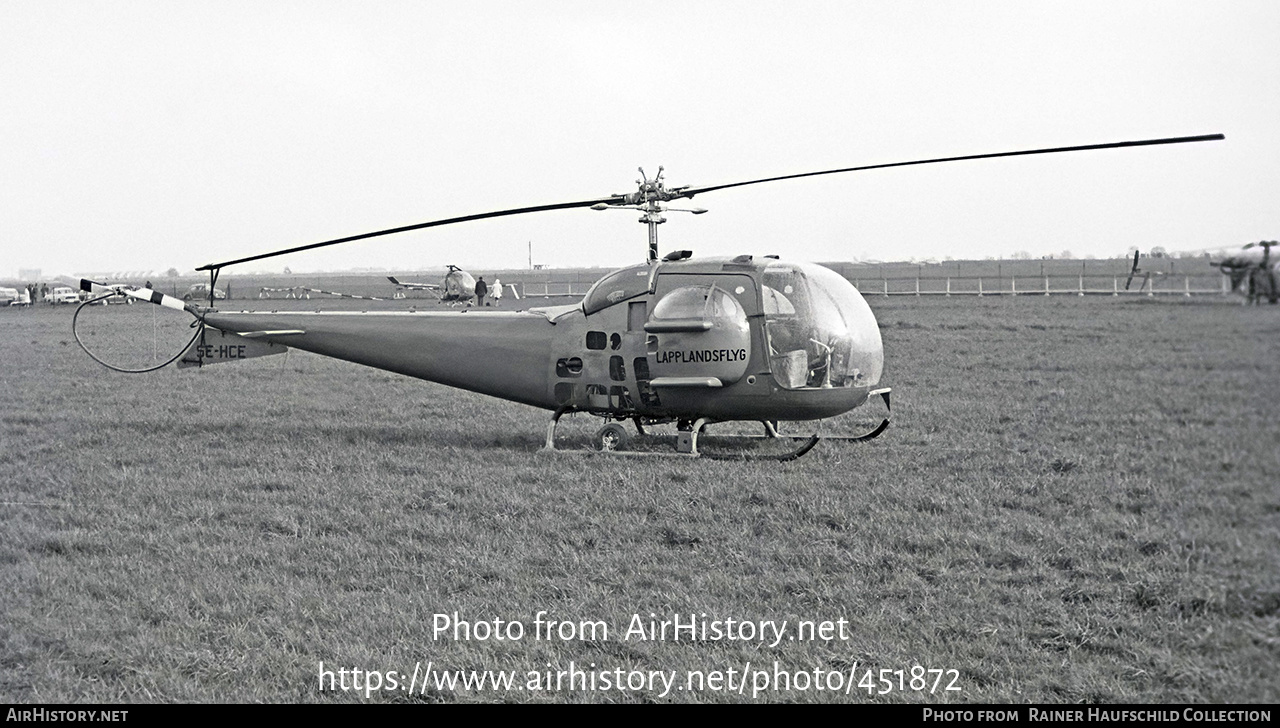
column 692, row 341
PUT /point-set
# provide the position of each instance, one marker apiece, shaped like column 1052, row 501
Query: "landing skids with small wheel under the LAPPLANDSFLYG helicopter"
column 612, row 438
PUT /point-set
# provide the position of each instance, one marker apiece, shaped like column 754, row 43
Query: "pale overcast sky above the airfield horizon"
column 148, row 135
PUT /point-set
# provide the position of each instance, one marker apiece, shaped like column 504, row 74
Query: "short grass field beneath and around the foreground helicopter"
column 1078, row 502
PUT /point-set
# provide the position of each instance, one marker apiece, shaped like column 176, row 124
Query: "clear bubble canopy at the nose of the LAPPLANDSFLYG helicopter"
column 821, row 331
